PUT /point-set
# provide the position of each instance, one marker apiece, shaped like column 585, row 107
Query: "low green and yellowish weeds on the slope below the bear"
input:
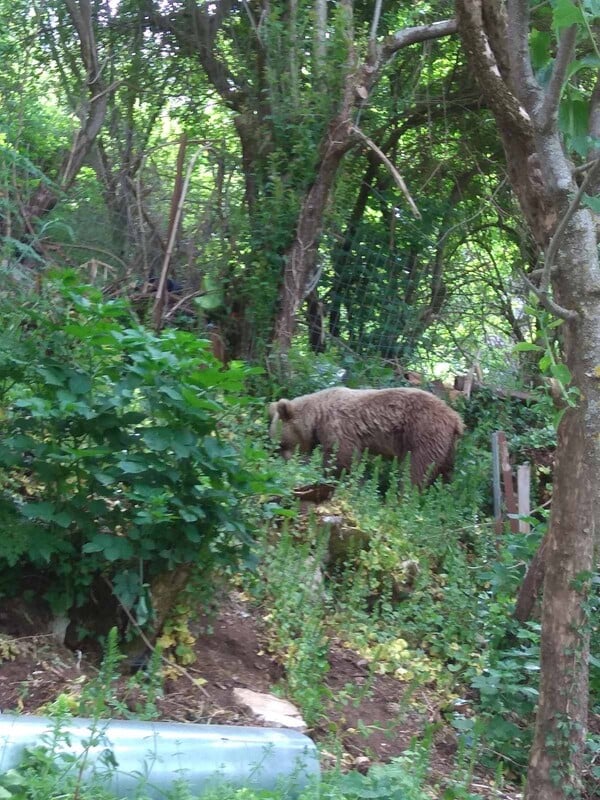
column 425, row 591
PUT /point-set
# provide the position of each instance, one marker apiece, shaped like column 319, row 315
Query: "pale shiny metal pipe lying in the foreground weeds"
column 155, row 755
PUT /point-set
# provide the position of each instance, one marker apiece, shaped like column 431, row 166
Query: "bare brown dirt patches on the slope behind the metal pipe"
column 375, row 726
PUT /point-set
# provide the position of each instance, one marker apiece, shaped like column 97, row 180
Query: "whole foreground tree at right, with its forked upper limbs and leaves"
column 540, row 158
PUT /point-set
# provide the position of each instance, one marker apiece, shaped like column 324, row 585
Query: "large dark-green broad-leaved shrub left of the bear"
column 112, row 463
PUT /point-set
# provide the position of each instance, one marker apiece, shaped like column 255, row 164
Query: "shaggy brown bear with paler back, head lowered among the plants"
column 386, row 422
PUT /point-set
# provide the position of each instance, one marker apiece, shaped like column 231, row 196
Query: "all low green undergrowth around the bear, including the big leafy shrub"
column 116, row 441
